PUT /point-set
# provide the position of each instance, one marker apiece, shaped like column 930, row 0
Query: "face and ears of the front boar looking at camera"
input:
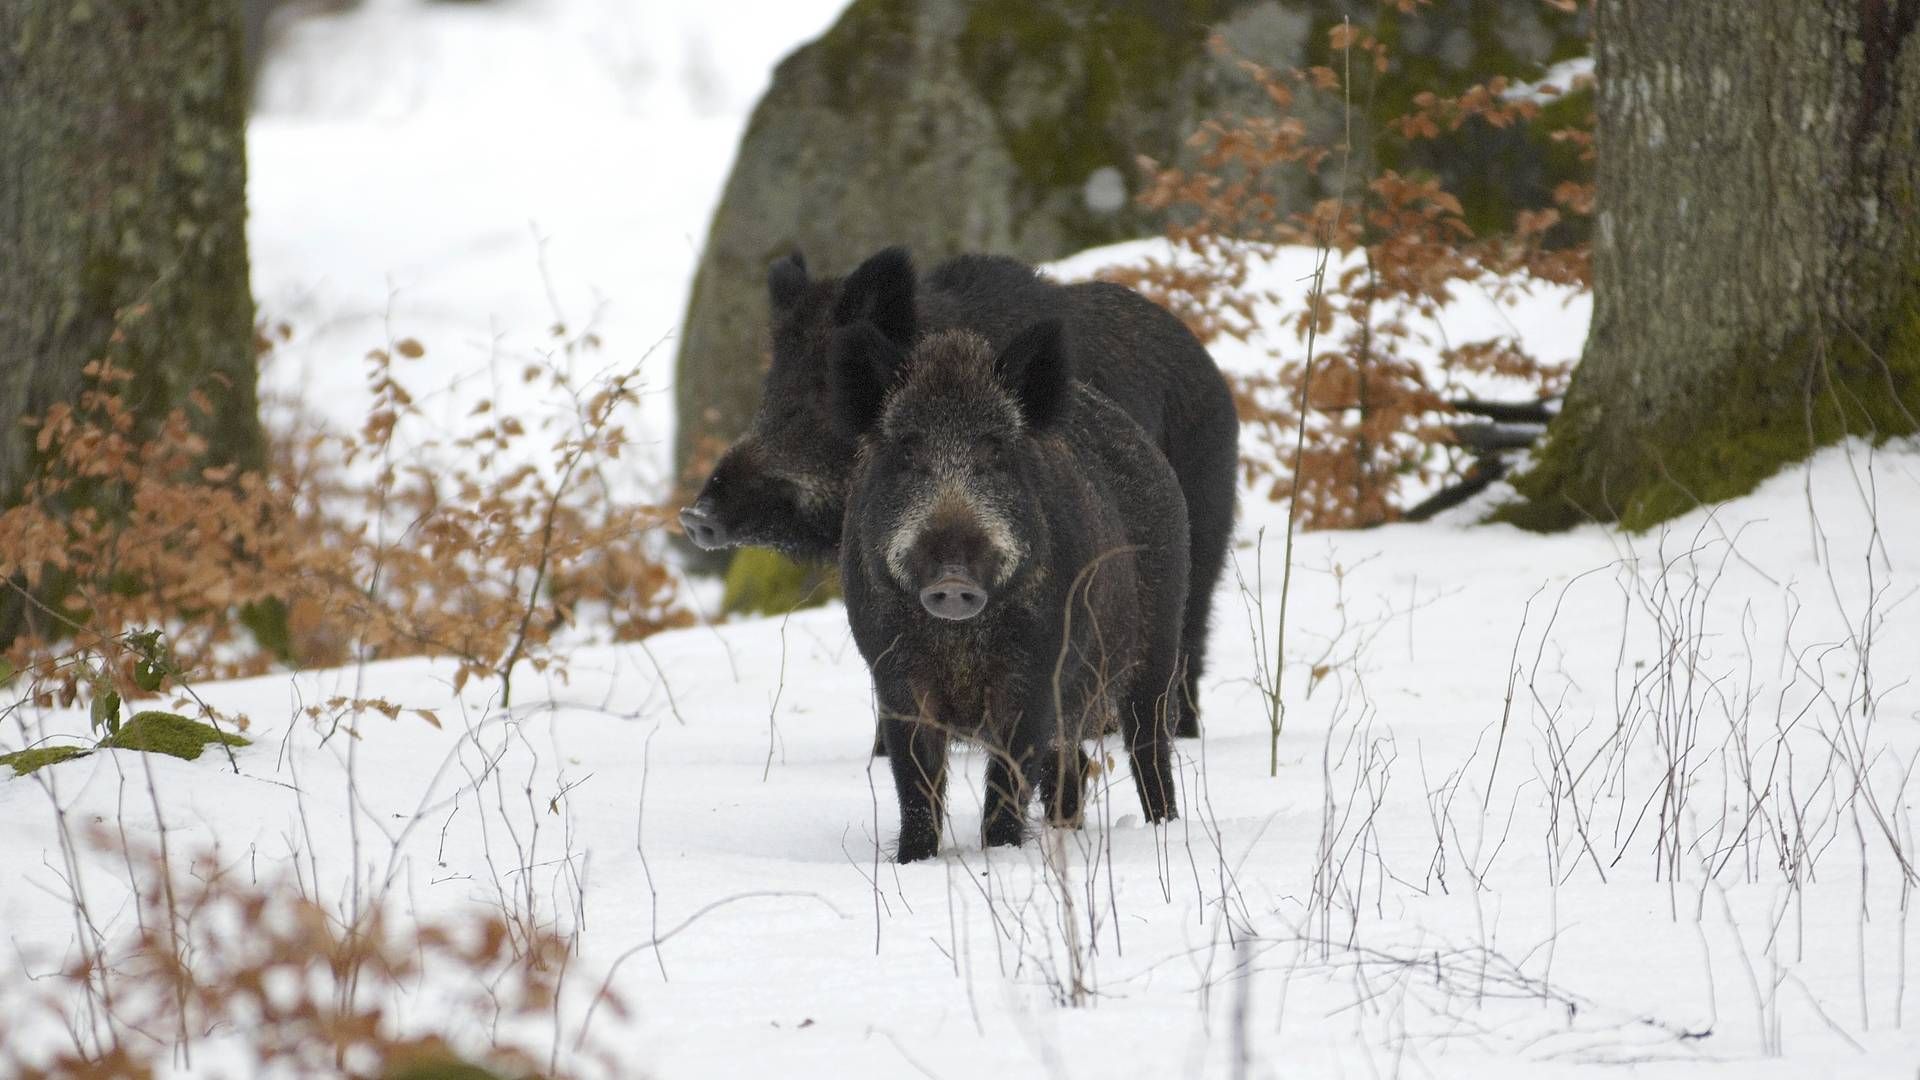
column 953, row 456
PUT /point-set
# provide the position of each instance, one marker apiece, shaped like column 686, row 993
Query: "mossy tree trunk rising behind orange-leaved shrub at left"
column 124, row 218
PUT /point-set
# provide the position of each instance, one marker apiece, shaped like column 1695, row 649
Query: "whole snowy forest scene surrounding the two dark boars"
column 364, row 712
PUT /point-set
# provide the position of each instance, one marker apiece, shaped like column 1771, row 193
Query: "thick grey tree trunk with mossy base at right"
column 1756, row 257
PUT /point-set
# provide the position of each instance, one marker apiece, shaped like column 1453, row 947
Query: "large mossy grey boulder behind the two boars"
column 1017, row 128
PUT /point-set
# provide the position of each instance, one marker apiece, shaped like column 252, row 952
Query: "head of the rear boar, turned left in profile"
column 784, row 483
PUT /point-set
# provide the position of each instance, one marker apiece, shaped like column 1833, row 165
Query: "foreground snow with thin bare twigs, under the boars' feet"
column 1462, row 868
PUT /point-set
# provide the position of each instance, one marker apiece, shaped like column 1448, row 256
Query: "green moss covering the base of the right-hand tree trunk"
column 1773, row 408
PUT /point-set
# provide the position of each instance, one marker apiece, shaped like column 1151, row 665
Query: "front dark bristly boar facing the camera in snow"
column 1015, row 560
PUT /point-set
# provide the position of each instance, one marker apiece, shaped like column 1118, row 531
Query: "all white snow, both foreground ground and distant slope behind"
column 1545, row 806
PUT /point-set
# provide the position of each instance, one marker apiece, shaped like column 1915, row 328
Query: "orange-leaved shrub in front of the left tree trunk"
column 348, row 547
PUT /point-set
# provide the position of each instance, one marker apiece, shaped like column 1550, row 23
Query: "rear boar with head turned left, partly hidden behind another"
column 782, row 485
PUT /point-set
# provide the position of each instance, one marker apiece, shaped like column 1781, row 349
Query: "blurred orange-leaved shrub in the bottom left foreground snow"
column 291, row 987
